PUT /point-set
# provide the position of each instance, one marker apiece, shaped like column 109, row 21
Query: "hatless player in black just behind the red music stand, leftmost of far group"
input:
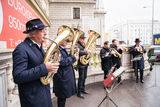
column 106, row 58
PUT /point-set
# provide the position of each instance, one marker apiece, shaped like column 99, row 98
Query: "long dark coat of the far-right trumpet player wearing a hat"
column 140, row 63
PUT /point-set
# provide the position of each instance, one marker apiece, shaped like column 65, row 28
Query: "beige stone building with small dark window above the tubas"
column 84, row 14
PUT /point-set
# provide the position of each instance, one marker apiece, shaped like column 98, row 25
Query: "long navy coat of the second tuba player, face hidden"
column 64, row 79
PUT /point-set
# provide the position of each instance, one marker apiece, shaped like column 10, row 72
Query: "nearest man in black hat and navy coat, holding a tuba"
column 28, row 67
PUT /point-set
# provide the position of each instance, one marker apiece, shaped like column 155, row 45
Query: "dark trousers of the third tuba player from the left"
column 82, row 79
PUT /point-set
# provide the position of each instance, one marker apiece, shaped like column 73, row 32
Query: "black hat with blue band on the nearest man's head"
column 34, row 24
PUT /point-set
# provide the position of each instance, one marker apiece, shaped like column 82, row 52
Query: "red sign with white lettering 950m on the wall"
column 13, row 16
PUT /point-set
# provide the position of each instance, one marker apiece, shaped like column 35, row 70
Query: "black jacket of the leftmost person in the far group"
column 106, row 59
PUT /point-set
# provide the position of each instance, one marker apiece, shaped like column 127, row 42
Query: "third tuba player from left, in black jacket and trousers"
column 82, row 69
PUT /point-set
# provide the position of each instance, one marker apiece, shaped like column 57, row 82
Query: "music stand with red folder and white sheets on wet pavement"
column 111, row 79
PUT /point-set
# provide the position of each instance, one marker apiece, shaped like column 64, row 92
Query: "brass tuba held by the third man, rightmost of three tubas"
column 89, row 46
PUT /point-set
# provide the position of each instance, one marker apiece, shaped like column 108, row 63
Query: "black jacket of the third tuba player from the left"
column 81, row 53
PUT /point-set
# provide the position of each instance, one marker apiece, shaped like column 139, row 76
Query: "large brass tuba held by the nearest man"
column 52, row 53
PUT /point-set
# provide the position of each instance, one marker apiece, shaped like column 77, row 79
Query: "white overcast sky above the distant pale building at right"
column 121, row 10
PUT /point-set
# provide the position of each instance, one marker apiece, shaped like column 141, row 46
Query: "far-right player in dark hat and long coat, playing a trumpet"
column 138, row 50
